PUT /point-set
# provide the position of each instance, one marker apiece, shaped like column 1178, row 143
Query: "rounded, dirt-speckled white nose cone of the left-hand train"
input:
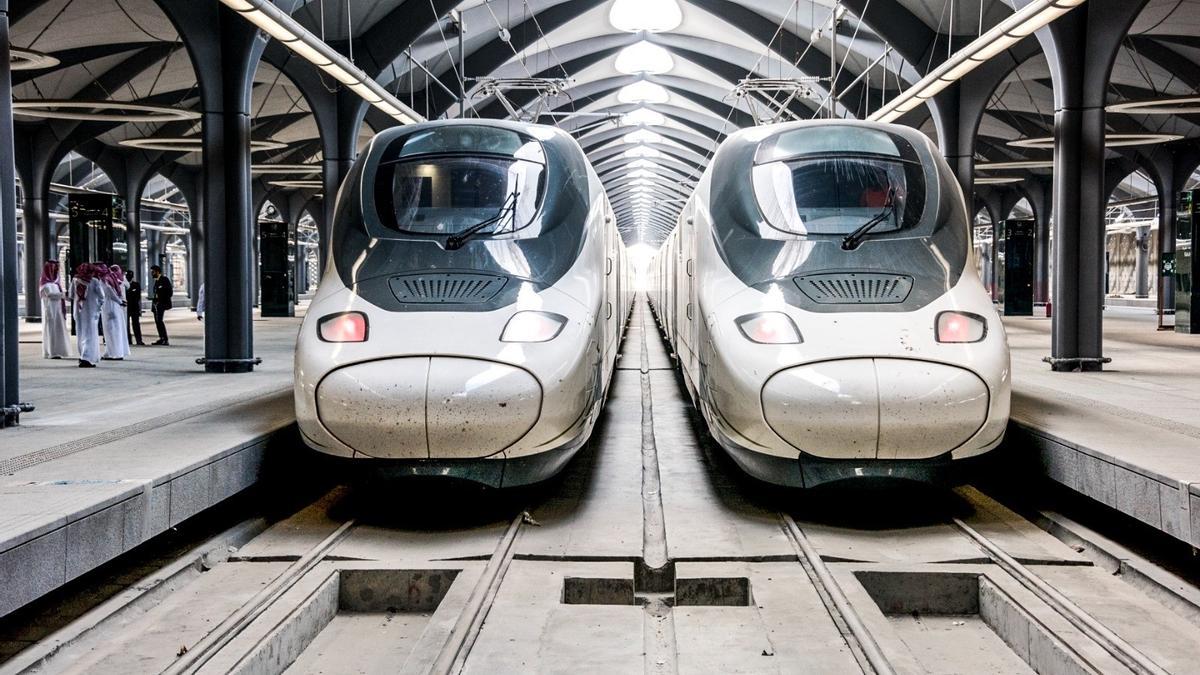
column 418, row 408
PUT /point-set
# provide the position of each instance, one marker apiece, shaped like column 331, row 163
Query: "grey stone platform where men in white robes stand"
column 121, row 453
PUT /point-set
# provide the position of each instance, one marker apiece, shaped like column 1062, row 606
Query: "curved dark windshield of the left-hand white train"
column 473, row 181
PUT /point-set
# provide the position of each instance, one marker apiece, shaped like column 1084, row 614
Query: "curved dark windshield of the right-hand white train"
column 835, row 181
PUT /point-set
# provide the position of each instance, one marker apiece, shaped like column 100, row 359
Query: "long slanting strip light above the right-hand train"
column 1007, row 33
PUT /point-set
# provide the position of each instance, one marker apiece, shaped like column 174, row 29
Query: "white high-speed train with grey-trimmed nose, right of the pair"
column 820, row 296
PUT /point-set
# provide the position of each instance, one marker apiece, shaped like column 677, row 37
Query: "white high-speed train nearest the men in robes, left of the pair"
column 472, row 308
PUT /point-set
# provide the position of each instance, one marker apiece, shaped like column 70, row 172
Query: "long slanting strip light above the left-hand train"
column 277, row 23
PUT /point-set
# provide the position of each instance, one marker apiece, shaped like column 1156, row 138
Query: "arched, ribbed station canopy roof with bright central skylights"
column 650, row 88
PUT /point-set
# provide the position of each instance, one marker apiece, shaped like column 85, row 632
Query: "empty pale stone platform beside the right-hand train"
column 1130, row 437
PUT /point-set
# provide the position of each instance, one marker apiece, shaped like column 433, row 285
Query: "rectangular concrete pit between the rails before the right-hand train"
column 963, row 623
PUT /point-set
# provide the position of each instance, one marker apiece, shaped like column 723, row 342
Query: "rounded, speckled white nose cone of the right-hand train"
column 886, row 409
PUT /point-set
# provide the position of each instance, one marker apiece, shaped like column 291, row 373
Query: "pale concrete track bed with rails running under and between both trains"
column 688, row 570
